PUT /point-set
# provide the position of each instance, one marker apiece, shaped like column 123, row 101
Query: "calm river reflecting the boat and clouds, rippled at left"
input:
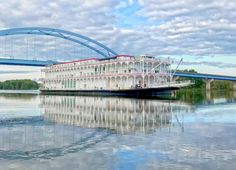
column 75, row 132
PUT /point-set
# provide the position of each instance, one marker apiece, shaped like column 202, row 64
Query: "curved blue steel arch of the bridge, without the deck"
column 85, row 41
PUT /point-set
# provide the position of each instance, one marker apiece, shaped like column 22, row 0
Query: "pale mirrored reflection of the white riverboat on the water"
column 119, row 114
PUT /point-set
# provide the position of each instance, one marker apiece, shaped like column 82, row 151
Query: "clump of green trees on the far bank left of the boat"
column 25, row 84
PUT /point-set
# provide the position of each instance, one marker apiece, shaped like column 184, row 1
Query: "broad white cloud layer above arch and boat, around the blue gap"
column 174, row 27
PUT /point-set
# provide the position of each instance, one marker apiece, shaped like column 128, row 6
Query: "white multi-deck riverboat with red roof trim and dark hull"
column 121, row 75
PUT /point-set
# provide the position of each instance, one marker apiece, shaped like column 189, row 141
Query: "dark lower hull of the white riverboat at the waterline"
column 142, row 92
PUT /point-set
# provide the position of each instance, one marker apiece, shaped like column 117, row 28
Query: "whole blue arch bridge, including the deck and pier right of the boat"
column 90, row 44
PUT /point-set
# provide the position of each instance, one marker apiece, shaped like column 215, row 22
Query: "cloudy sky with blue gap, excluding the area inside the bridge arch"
column 202, row 32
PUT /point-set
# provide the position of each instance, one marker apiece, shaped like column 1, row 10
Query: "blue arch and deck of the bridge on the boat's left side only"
column 100, row 49
